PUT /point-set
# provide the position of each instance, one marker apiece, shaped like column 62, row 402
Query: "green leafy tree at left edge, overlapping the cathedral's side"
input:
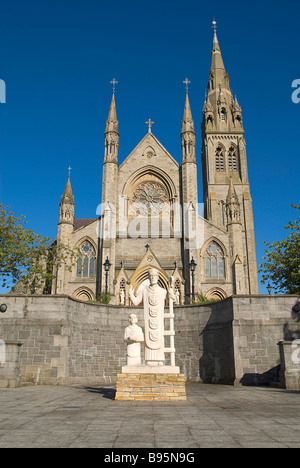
column 28, row 258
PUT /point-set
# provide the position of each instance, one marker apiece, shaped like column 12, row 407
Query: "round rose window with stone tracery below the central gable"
column 149, row 198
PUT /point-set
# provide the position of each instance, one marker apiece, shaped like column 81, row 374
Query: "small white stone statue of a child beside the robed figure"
column 134, row 336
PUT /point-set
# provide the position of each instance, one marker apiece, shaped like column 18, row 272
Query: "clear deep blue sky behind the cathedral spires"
column 58, row 58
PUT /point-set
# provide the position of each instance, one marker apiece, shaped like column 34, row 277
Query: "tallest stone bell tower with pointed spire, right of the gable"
column 226, row 189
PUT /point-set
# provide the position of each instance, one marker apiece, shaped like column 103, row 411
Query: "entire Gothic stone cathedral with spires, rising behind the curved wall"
column 151, row 216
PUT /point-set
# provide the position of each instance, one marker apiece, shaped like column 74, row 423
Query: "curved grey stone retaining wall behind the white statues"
column 66, row 341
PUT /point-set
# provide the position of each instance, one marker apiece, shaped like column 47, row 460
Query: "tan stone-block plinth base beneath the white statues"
column 151, row 387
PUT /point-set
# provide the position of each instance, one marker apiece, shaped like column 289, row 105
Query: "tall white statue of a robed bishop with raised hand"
column 154, row 298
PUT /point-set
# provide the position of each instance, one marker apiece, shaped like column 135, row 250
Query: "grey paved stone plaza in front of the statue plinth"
column 214, row 416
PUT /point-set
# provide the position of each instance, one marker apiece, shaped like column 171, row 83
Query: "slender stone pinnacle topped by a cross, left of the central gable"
column 111, row 136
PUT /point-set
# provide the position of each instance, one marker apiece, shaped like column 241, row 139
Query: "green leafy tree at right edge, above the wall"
column 282, row 261
